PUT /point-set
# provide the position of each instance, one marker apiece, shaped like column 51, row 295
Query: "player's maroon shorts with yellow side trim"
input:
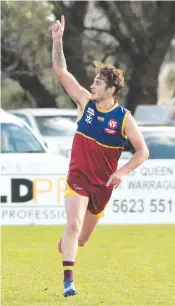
column 98, row 195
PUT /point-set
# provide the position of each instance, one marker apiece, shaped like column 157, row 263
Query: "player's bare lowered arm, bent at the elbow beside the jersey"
column 141, row 151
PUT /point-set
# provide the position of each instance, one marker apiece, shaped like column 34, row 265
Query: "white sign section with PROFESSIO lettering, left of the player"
column 32, row 199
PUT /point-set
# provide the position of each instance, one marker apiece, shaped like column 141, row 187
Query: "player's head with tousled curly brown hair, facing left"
column 107, row 82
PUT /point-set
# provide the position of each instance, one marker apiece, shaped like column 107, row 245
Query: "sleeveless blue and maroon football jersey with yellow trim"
column 98, row 143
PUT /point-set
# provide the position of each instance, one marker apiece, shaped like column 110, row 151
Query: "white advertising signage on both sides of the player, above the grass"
column 146, row 196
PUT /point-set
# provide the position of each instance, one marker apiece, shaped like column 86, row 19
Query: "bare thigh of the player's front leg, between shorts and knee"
column 76, row 206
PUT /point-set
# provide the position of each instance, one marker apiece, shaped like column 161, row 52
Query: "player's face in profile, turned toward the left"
column 99, row 89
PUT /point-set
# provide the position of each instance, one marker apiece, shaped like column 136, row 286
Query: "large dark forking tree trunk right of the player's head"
column 145, row 45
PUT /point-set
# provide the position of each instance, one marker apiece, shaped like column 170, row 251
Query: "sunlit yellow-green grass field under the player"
column 120, row 265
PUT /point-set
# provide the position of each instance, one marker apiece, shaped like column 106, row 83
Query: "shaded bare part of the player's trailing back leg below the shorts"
column 89, row 224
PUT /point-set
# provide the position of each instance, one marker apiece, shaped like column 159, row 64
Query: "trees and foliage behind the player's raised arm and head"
column 134, row 36
